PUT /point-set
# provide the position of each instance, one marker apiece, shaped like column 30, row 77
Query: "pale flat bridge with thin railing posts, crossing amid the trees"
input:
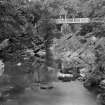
column 64, row 21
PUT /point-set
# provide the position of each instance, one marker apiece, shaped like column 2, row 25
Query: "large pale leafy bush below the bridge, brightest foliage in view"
column 73, row 52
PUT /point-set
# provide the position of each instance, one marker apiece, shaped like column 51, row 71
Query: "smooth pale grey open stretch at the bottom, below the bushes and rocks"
column 70, row 93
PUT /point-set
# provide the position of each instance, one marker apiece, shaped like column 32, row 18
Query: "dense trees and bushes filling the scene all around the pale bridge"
column 27, row 29
